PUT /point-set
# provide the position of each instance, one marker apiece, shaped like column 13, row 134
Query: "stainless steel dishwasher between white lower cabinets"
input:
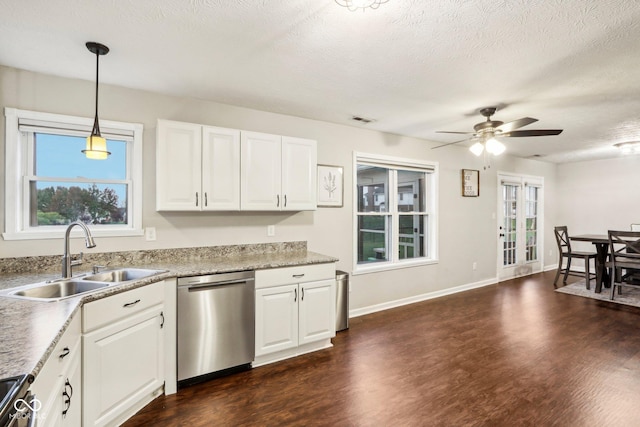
column 216, row 329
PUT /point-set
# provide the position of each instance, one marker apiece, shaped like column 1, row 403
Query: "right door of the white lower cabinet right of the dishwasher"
column 317, row 311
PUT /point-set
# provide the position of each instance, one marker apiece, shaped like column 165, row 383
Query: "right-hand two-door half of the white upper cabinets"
column 278, row 173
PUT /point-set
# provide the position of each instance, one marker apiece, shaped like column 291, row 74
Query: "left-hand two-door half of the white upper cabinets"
column 197, row 167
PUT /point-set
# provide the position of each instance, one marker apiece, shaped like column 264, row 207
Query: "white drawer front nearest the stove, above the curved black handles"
column 58, row 361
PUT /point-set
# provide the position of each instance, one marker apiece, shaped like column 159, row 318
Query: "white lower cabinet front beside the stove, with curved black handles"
column 58, row 385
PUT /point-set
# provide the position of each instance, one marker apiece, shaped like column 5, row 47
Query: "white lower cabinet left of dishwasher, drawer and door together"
column 123, row 354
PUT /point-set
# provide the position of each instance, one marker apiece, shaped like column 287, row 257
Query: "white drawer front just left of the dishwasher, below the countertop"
column 107, row 310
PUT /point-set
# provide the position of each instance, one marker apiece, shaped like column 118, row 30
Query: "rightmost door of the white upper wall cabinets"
column 299, row 173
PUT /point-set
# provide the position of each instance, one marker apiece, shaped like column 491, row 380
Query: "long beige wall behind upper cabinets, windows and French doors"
column 467, row 226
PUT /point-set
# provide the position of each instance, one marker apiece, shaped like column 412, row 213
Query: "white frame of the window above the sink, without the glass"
column 19, row 147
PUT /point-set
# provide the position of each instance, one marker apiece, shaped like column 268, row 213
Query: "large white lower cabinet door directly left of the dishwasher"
column 122, row 365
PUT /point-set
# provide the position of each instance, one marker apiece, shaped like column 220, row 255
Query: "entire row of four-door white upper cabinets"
column 200, row 168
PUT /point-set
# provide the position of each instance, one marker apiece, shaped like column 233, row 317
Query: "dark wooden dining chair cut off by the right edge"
column 624, row 259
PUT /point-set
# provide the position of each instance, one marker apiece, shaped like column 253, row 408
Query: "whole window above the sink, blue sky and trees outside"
column 50, row 183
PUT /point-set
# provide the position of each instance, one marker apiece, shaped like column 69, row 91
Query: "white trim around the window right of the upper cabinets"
column 432, row 244
